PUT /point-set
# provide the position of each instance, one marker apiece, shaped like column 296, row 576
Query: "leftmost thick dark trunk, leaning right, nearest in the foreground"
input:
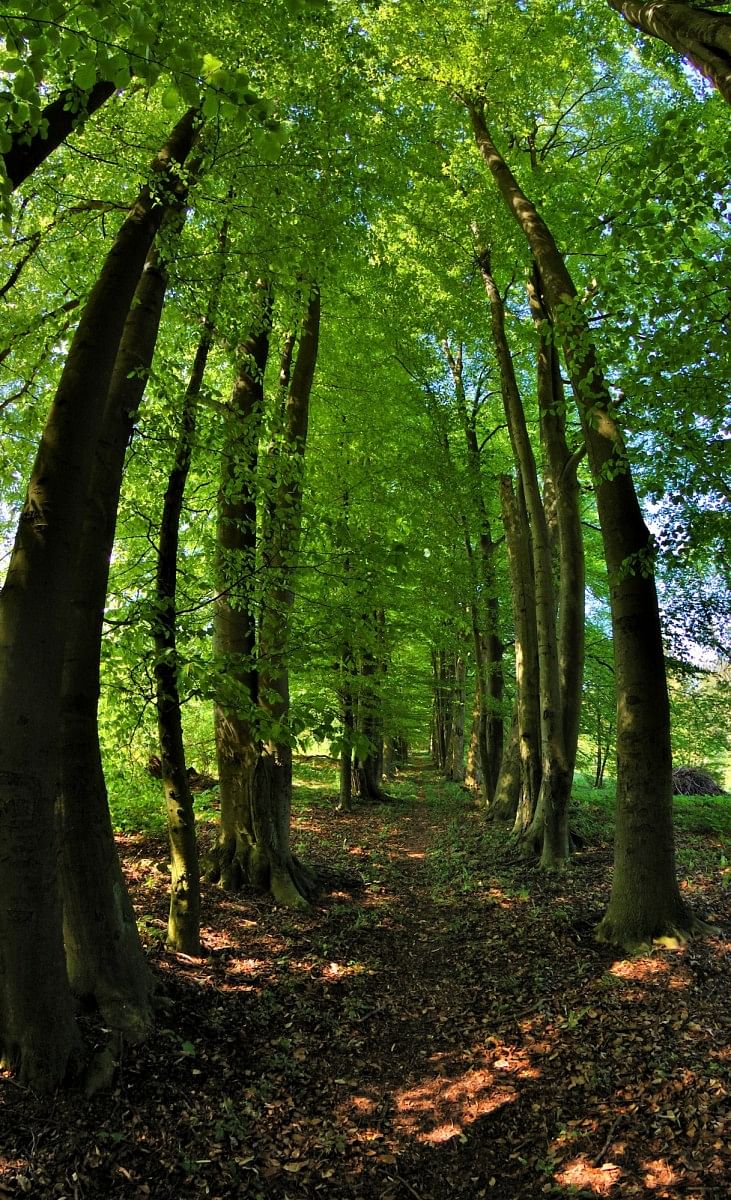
column 38, row 1036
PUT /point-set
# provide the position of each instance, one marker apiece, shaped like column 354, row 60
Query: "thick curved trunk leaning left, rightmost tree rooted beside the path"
column 646, row 901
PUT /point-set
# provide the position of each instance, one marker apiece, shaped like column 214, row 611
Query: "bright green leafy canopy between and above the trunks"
column 335, row 140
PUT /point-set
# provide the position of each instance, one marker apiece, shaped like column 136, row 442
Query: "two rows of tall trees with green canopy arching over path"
column 363, row 377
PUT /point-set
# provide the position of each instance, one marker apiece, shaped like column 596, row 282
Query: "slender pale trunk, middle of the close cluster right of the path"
column 550, row 826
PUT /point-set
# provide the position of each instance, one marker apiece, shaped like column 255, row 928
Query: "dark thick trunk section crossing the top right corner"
column 700, row 35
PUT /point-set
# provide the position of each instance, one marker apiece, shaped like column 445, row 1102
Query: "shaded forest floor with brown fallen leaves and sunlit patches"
column 446, row 1028
